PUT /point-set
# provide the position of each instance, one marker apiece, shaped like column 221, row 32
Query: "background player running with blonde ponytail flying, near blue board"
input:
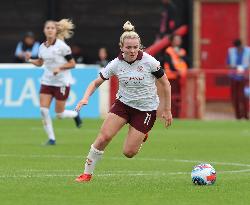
column 56, row 56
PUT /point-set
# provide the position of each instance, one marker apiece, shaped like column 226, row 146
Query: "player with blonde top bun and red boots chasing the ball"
column 137, row 99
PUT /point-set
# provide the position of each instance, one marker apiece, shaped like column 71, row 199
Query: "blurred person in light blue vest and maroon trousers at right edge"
column 238, row 60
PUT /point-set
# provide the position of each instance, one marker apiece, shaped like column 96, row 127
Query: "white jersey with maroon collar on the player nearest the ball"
column 137, row 87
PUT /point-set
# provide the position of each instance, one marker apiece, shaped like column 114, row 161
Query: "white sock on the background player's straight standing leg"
column 47, row 123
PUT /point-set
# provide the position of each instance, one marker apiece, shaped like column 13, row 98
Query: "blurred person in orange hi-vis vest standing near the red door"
column 175, row 65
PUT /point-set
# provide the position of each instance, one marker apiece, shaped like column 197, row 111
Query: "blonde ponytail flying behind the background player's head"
column 64, row 29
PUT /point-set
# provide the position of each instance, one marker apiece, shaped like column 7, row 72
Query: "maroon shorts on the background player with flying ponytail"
column 59, row 93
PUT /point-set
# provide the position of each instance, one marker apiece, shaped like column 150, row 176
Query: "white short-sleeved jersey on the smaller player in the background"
column 54, row 57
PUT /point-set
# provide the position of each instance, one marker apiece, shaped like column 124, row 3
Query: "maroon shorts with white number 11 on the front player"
column 142, row 121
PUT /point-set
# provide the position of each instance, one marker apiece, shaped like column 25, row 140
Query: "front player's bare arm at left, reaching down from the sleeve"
column 90, row 90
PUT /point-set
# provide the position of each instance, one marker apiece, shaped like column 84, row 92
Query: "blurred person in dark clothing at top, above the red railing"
column 167, row 23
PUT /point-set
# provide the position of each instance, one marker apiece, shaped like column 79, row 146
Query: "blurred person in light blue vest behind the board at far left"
column 27, row 45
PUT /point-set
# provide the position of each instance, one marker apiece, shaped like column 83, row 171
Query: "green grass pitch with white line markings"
column 33, row 174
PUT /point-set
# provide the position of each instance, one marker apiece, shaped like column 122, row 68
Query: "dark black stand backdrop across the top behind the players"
column 98, row 23
